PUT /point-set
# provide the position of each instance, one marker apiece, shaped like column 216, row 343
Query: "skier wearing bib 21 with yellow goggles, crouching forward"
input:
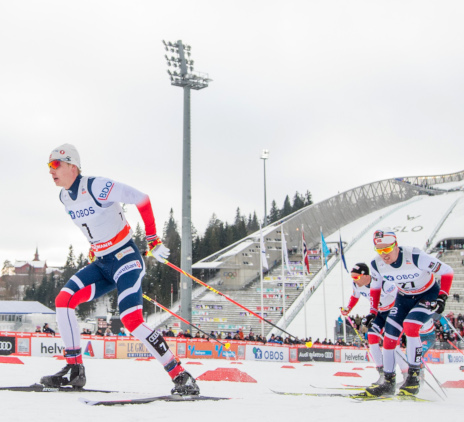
column 419, row 296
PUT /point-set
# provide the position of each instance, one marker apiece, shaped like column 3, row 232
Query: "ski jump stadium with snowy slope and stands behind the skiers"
column 425, row 211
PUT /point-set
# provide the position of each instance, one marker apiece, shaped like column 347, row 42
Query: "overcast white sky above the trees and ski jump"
column 342, row 93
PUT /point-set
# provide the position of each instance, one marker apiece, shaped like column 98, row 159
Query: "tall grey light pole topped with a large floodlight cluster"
column 183, row 76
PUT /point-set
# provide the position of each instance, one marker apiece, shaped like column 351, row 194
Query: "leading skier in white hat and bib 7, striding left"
column 93, row 204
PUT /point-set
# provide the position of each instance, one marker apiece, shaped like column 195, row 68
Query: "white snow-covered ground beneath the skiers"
column 251, row 401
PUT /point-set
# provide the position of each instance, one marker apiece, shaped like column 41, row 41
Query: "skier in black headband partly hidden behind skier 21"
column 361, row 287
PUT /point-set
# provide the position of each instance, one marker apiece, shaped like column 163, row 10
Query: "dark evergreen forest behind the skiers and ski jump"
column 160, row 280
